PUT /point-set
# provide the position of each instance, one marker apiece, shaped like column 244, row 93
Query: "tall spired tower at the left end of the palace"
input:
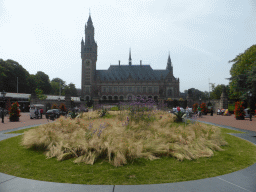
column 89, row 59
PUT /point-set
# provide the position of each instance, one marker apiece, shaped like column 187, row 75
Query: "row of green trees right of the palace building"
column 242, row 81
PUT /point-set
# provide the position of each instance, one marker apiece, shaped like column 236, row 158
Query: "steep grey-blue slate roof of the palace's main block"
column 138, row 72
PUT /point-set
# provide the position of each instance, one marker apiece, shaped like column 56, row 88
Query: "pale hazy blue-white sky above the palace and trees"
column 201, row 36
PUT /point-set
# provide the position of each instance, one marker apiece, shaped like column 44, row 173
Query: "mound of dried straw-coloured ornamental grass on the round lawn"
column 88, row 139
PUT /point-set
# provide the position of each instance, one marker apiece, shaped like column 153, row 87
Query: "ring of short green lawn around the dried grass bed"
column 26, row 163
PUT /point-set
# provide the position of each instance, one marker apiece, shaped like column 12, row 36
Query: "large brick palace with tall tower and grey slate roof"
column 123, row 82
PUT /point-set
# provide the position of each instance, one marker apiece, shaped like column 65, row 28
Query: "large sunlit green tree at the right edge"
column 241, row 71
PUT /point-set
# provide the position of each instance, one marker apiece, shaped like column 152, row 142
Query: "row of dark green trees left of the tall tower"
column 28, row 83
